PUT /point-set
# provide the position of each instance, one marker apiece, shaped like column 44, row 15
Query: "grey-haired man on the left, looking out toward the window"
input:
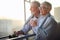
column 32, row 21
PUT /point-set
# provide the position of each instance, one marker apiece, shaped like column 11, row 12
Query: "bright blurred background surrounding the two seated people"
column 14, row 13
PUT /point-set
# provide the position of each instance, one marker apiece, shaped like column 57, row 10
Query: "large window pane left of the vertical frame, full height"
column 11, row 16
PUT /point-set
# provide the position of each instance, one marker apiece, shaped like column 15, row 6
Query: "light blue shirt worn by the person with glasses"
column 47, row 28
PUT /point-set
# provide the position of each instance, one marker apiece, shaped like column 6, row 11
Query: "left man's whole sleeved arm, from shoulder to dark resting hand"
column 26, row 27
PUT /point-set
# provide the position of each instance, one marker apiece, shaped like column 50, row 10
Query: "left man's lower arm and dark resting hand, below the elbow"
column 24, row 31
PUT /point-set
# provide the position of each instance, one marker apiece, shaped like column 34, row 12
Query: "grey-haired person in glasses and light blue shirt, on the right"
column 47, row 24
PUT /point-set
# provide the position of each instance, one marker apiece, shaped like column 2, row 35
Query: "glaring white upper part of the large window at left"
column 12, row 9
